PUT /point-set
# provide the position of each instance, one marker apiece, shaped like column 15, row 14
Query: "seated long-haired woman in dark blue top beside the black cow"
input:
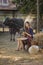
column 28, row 34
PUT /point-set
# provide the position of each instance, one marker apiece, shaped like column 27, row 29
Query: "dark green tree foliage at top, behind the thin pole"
column 29, row 6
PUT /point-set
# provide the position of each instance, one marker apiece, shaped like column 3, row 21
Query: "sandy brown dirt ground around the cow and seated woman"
column 8, row 55
